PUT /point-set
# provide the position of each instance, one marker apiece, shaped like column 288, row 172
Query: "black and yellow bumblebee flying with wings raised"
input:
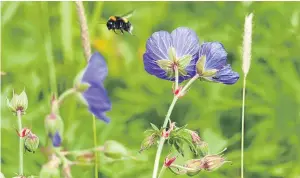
column 120, row 23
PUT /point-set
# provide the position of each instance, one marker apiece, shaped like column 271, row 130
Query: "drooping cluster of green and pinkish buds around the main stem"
column 177, row 137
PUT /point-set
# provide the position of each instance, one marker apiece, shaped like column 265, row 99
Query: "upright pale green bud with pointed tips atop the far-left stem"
column 18, row 103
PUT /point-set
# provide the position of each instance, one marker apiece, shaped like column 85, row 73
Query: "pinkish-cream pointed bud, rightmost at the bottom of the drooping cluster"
column 212, row 162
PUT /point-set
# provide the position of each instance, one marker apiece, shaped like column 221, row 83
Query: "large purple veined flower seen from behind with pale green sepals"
column 165, row 51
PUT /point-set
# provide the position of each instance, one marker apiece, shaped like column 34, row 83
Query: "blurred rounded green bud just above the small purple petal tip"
column 53, row 124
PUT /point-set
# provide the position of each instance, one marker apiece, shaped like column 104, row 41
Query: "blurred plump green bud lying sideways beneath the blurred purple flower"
column 114, row 150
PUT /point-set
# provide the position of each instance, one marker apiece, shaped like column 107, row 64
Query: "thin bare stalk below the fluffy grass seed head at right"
column 243, row 128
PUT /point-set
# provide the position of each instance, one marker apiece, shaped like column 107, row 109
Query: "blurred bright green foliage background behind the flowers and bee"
column 41, row 51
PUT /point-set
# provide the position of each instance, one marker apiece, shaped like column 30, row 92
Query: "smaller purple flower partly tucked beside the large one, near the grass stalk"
column 212, row 65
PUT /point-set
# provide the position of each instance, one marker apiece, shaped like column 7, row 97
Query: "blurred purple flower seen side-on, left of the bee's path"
column 96, row 96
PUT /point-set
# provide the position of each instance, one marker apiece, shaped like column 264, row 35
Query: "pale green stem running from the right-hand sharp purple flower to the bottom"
column 162, row 139
